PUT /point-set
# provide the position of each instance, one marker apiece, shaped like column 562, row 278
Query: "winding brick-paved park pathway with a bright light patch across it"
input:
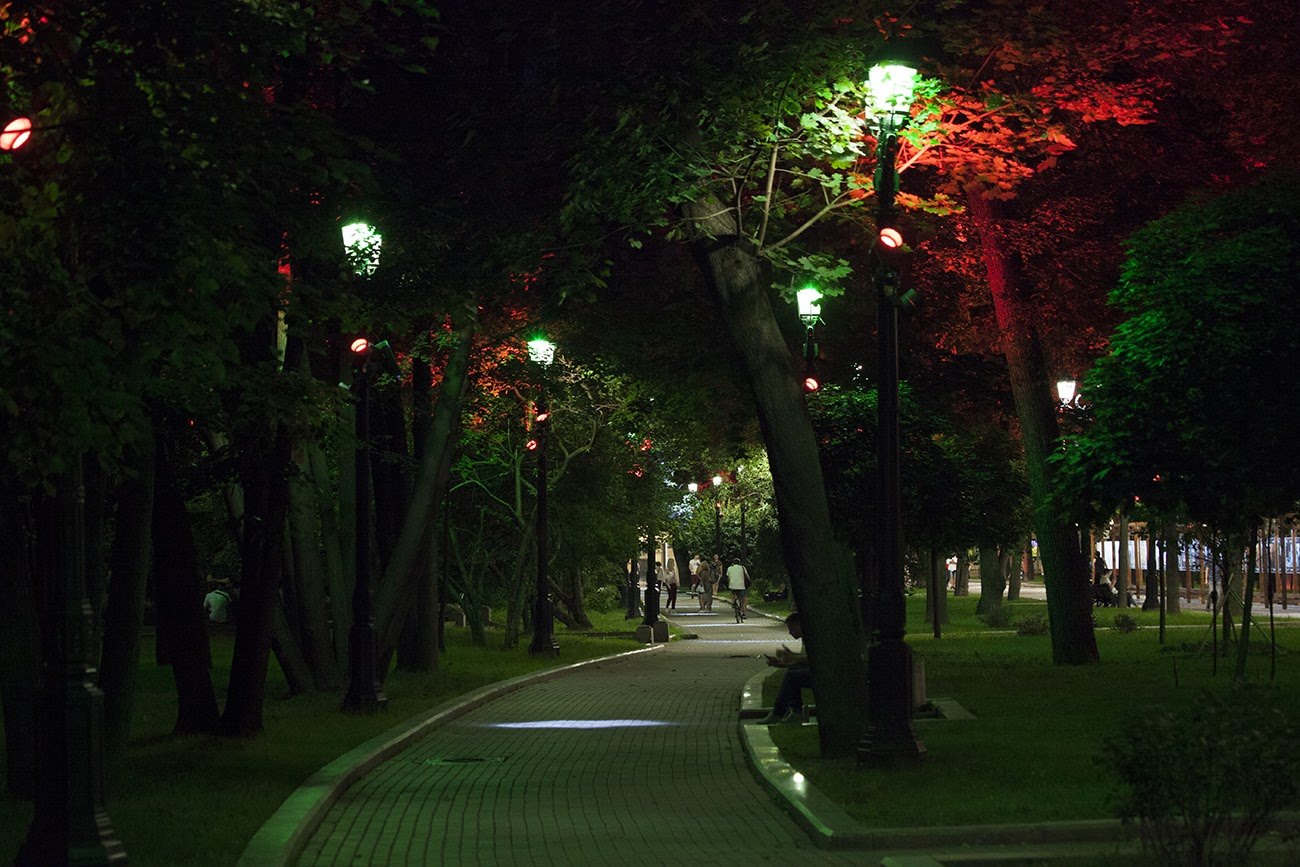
column 631, row 761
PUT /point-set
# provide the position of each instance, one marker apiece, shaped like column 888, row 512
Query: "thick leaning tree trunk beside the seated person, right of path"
column 821, row 567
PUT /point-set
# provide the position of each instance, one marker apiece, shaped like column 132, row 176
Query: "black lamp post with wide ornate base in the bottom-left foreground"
column 70, row 825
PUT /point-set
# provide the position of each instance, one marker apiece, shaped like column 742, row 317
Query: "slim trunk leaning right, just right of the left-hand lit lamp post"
column 397, row 589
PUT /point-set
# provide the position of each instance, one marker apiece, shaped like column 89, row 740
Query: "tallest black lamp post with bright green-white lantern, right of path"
column 891, row 736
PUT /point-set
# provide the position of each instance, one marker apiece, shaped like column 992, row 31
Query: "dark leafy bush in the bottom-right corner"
column 1203, row 784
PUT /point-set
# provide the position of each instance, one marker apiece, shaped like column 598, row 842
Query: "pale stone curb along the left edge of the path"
column 283, row 836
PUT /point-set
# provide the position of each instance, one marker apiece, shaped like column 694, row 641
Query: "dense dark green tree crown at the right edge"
column 1195, row 405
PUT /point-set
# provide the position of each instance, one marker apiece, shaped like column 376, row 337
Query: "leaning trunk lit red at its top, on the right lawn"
column 1065, row 570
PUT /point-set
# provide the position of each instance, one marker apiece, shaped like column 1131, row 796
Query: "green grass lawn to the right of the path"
column 1035, row 749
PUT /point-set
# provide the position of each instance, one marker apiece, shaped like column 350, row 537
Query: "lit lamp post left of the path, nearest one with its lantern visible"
column 365, row 693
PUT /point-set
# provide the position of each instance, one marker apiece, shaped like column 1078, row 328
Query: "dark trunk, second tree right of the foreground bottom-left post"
column 179, row 602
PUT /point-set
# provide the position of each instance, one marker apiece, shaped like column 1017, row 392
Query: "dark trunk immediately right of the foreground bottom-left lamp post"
column 124, row 610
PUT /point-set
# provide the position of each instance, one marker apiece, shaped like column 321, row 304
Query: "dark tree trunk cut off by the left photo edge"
column 20, row 639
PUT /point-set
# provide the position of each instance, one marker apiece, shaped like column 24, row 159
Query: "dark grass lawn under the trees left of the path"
column 198, row 800
